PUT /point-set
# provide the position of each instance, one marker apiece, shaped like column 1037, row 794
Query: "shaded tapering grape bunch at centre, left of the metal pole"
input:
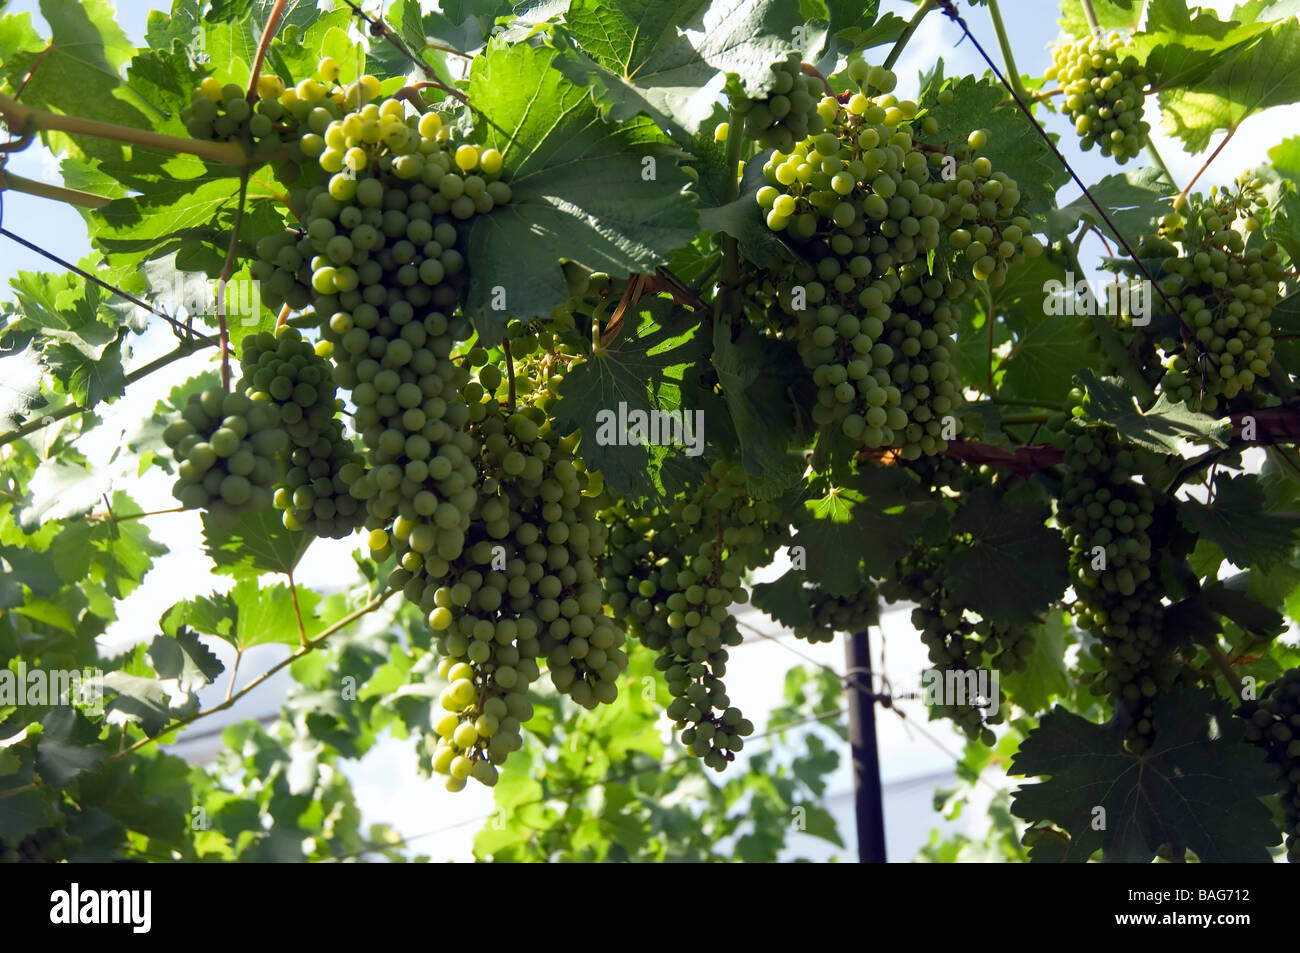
column 673, row 577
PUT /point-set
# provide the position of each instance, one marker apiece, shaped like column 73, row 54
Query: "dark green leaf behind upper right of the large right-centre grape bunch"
column 1013, row 146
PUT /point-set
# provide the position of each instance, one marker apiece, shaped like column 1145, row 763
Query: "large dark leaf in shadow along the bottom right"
column 1198, row 789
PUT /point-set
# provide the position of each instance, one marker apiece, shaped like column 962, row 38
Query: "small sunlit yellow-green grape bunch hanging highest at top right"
column 1104, row 96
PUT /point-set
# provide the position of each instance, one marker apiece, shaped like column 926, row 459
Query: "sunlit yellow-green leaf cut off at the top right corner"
column 1254, row 76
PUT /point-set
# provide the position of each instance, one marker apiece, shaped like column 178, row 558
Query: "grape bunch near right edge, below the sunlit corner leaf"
column 1225, row 288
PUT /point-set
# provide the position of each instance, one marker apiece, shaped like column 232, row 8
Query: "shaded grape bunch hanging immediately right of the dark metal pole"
column 957, row 643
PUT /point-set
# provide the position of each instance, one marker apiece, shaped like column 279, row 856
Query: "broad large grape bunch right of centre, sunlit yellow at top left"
column 866, row 209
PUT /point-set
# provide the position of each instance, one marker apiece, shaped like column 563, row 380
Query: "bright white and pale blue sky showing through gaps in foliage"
column 385, row 783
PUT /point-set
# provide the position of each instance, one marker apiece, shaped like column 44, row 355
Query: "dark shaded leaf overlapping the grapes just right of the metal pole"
column 1013, row 566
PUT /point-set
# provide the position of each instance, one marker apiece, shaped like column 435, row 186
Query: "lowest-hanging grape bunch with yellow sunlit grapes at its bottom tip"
column 525, row 587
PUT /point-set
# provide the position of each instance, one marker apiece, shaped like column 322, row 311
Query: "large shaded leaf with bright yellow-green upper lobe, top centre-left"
column 575, row 180
